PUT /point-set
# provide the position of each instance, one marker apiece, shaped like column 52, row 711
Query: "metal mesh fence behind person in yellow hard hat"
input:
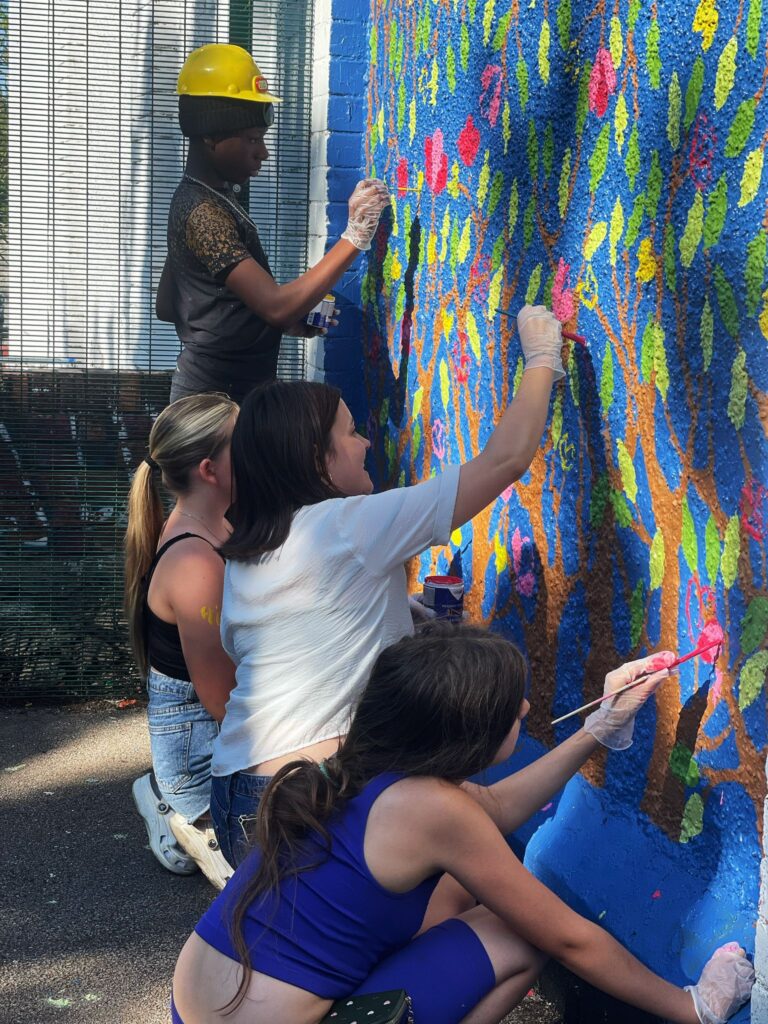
column 91, row 155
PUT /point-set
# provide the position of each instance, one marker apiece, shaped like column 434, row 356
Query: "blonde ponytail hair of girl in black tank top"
column 185, row 434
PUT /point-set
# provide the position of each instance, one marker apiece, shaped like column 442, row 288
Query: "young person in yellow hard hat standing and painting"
column 217, row 286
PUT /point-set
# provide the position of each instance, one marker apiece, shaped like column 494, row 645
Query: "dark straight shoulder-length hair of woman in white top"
column 279, row 451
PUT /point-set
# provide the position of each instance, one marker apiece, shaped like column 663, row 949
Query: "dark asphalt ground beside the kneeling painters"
column 91, row 923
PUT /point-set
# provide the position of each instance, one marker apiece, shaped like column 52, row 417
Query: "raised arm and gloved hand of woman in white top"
column 513, row 446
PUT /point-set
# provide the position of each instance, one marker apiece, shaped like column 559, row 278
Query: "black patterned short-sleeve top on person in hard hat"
column 227, row 347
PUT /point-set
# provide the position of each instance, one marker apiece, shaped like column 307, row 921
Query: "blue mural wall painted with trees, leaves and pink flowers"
column 607, row 160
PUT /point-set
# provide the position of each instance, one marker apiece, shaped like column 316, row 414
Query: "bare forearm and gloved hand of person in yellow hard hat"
column 283, row 306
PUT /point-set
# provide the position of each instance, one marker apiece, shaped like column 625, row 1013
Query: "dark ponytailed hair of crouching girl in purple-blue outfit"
column 438, row 704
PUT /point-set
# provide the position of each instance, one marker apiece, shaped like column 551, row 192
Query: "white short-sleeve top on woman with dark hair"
column 305, row 624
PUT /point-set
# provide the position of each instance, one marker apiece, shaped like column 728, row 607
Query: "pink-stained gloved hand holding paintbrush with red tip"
column 614, row 722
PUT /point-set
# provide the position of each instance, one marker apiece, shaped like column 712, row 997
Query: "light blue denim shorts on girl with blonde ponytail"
column 182, row 736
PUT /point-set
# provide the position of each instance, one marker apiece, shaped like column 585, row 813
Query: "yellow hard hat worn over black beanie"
column 227, row 71
